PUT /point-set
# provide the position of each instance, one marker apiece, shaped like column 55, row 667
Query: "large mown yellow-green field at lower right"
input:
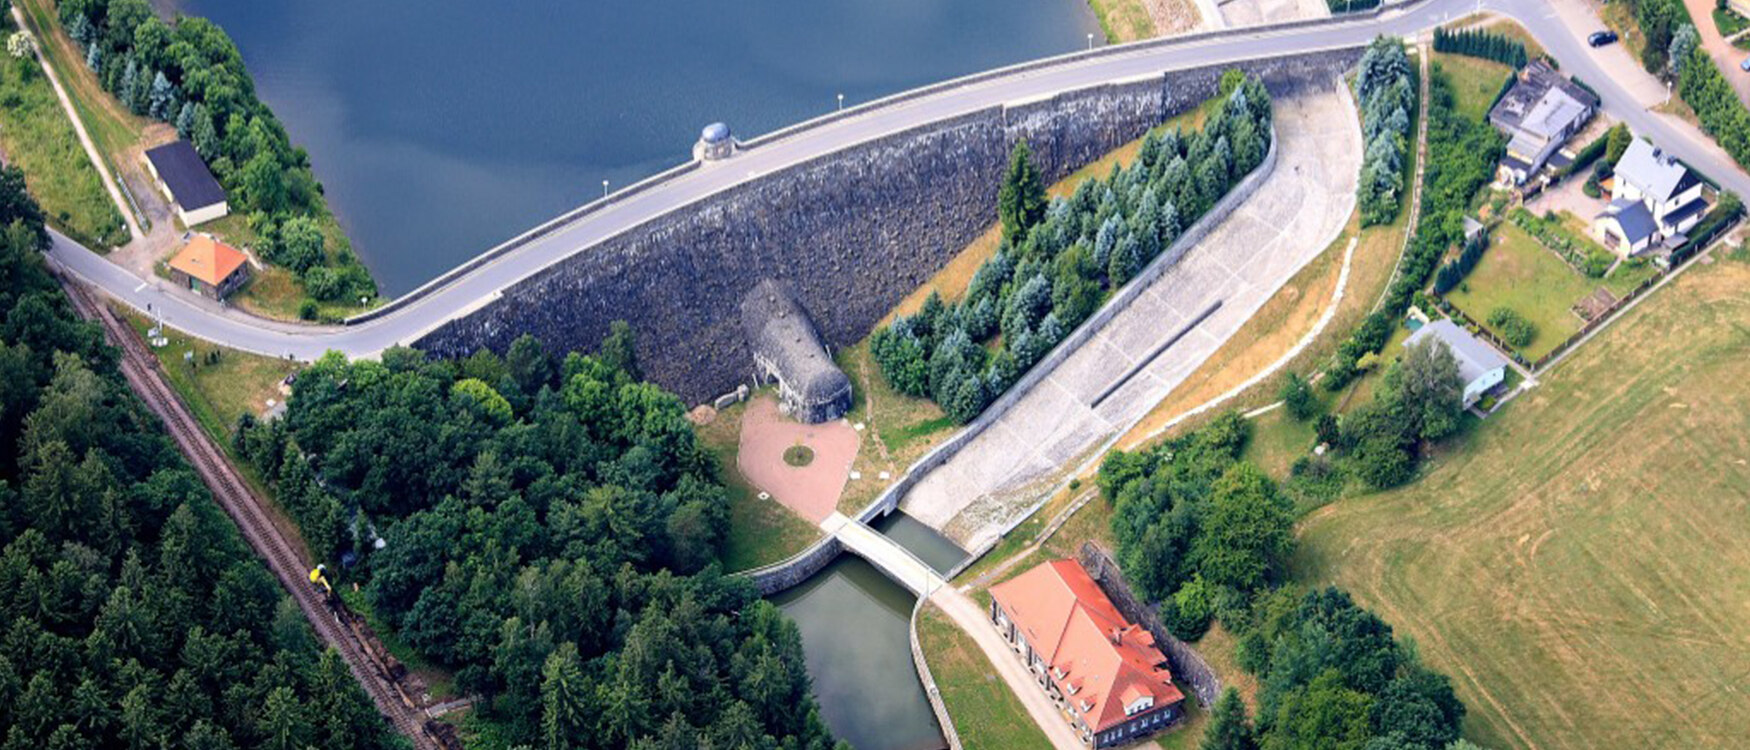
column 1581, row 566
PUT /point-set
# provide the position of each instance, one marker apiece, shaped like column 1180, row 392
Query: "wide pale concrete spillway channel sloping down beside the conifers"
column 1296, row 214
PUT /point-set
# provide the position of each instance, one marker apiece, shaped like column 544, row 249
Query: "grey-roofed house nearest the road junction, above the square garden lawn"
column 1539, row 115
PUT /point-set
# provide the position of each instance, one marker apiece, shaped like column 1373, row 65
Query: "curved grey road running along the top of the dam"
column 874, row 122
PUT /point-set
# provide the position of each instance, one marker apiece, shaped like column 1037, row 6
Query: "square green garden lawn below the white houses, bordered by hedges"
column 1523, row 275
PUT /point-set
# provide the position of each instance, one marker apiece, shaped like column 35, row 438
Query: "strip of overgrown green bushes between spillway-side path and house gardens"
column 1462, row 156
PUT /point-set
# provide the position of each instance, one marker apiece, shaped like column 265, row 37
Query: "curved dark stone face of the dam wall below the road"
column 851, row 233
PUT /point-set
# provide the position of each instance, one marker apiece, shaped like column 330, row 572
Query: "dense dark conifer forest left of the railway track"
column 134, row 613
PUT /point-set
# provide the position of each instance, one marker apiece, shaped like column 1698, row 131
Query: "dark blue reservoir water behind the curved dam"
column 442, row 127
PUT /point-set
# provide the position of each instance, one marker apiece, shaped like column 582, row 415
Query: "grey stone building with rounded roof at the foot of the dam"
column 790, row 354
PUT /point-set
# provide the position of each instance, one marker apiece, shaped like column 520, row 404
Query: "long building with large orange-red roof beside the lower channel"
column 1105, row 672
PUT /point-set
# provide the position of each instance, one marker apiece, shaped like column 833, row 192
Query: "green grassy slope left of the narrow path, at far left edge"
column 38, row 137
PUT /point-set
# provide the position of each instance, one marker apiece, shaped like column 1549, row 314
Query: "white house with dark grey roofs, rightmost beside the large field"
column 1653, row 202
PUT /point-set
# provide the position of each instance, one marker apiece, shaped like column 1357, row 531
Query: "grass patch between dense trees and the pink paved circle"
column 762, row 532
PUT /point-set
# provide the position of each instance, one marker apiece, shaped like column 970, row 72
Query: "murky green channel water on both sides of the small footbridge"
column 857, row 637
